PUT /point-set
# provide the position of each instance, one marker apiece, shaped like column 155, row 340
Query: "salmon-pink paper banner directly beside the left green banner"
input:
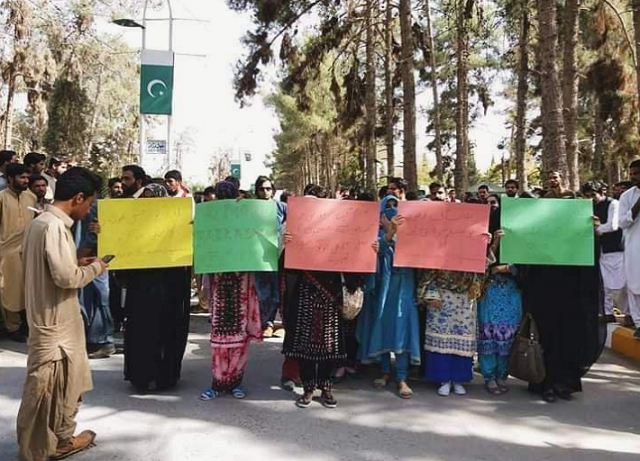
column 332, row 235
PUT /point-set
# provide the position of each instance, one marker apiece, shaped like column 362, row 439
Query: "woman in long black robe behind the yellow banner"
column 157, row 319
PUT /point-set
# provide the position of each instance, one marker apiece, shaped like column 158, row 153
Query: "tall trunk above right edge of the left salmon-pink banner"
column 370, row 101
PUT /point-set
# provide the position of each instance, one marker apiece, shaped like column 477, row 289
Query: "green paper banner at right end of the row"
column 547, row 231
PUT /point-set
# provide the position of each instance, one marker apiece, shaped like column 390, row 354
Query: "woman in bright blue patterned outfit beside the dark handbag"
column 499, row 316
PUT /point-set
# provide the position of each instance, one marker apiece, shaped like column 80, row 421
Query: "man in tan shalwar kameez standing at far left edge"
column 15, row 216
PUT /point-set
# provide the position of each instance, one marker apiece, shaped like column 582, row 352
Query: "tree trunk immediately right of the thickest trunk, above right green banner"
column 570, row 90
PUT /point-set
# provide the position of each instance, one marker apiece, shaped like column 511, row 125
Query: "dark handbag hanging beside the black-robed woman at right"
column 526, row 360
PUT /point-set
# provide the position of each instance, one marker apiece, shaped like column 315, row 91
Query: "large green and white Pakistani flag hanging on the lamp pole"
column 156, row 82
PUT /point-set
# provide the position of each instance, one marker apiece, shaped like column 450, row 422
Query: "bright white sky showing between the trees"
column 204, row 104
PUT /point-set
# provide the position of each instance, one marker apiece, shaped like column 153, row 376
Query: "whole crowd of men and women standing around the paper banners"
column 429, row 323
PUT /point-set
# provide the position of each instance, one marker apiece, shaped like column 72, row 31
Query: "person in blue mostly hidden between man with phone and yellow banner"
column 94, row 298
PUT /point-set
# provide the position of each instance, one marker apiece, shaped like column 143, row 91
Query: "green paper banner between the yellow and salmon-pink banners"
column 236, row 236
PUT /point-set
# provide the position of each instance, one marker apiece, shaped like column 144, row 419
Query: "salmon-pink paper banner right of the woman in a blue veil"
column 443, row 235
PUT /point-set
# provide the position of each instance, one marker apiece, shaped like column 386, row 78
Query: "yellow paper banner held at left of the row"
column 146, row 233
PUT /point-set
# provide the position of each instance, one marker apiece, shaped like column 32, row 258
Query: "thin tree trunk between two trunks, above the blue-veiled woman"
column 388, row 89
